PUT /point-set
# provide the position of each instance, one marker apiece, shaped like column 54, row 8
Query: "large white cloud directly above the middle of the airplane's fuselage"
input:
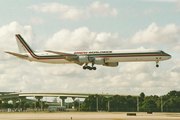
column 81, row 39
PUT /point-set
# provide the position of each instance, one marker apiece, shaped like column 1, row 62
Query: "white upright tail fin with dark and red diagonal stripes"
column 22, row 45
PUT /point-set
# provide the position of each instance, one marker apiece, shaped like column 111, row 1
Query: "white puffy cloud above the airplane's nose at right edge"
column 168, row 34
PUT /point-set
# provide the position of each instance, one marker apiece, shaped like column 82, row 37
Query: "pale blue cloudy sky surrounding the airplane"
column 67, row 25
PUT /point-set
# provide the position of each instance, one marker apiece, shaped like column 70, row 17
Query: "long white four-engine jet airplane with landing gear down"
column 109, row 58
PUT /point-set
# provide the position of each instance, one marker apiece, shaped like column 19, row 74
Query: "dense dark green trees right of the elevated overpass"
column 170, row 103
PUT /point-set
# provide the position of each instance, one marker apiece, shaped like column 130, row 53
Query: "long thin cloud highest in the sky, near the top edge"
column 75, row 13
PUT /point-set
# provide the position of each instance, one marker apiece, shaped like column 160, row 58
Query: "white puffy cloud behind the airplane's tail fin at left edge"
column 7, row 36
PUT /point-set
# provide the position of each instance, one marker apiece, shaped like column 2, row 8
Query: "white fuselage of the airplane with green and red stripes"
column 109, row 55
